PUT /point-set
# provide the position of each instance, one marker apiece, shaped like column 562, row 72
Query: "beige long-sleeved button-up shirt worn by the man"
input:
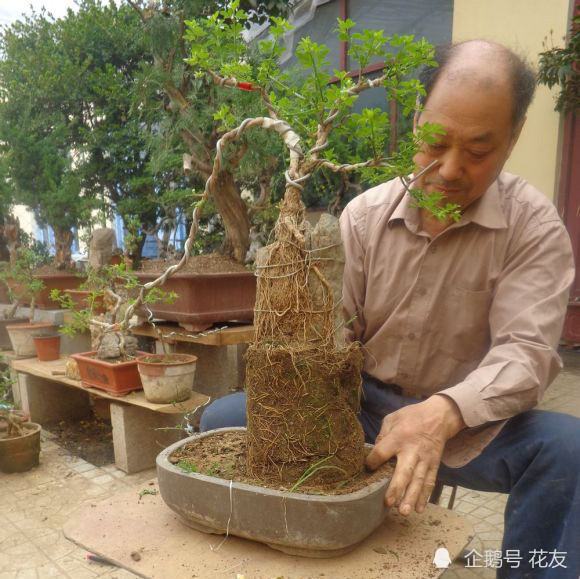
column 475, row 313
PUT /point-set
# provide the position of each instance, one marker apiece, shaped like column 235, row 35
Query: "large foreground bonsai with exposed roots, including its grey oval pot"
column 303, row 382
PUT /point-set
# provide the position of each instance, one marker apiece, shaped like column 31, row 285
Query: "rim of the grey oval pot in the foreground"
column 162, row 461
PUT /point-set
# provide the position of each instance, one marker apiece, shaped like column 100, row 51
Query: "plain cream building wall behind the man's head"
column 523, row 25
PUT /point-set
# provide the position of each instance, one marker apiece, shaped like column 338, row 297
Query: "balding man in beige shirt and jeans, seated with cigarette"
column 460, row 321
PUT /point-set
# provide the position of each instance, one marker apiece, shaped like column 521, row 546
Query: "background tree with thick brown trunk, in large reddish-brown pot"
column 193, row 114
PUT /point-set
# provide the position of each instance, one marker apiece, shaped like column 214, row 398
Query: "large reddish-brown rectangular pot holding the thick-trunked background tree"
column 204, row 299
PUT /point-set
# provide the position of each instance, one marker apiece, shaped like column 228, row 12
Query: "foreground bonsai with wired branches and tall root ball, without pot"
column 303, row 383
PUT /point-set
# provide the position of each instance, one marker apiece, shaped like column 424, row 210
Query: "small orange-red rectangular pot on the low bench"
column 116, row 379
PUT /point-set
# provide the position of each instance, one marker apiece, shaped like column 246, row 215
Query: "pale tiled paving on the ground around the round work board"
column 35, row 505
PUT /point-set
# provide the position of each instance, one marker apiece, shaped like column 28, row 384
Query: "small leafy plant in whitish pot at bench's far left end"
column 25, row 288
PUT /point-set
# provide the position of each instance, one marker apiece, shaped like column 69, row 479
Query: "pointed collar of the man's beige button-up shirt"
column 487, row 211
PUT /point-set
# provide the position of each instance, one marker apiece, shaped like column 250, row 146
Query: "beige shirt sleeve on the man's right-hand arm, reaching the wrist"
column 526, row 320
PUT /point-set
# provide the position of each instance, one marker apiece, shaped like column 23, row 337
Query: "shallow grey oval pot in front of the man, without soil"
column 296, row 523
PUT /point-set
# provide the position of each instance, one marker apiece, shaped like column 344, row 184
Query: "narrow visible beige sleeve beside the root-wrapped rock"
column 353, row 290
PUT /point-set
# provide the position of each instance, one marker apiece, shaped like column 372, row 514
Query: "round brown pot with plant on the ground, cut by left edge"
column 19, row 439
